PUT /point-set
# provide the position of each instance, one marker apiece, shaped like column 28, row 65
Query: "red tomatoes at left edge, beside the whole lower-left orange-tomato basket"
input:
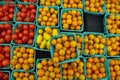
column 4, row 56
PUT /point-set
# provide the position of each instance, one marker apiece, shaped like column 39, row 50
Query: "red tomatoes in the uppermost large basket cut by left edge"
column 6, row 12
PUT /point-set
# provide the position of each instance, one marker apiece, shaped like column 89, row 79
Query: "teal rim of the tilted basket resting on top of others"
column 52, row 47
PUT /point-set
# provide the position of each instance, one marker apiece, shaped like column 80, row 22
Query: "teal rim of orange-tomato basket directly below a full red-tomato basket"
column 13, row 55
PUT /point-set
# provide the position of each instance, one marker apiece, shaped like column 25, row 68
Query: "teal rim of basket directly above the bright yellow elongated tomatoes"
column 55, row 7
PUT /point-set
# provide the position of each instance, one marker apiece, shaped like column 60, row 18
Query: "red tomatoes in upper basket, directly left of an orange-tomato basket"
column 26, row 13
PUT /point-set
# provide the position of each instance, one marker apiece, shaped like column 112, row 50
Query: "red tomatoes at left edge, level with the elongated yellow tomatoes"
column 5, row 33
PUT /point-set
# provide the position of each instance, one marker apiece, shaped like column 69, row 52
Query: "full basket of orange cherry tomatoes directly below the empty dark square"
column 94, row 44
